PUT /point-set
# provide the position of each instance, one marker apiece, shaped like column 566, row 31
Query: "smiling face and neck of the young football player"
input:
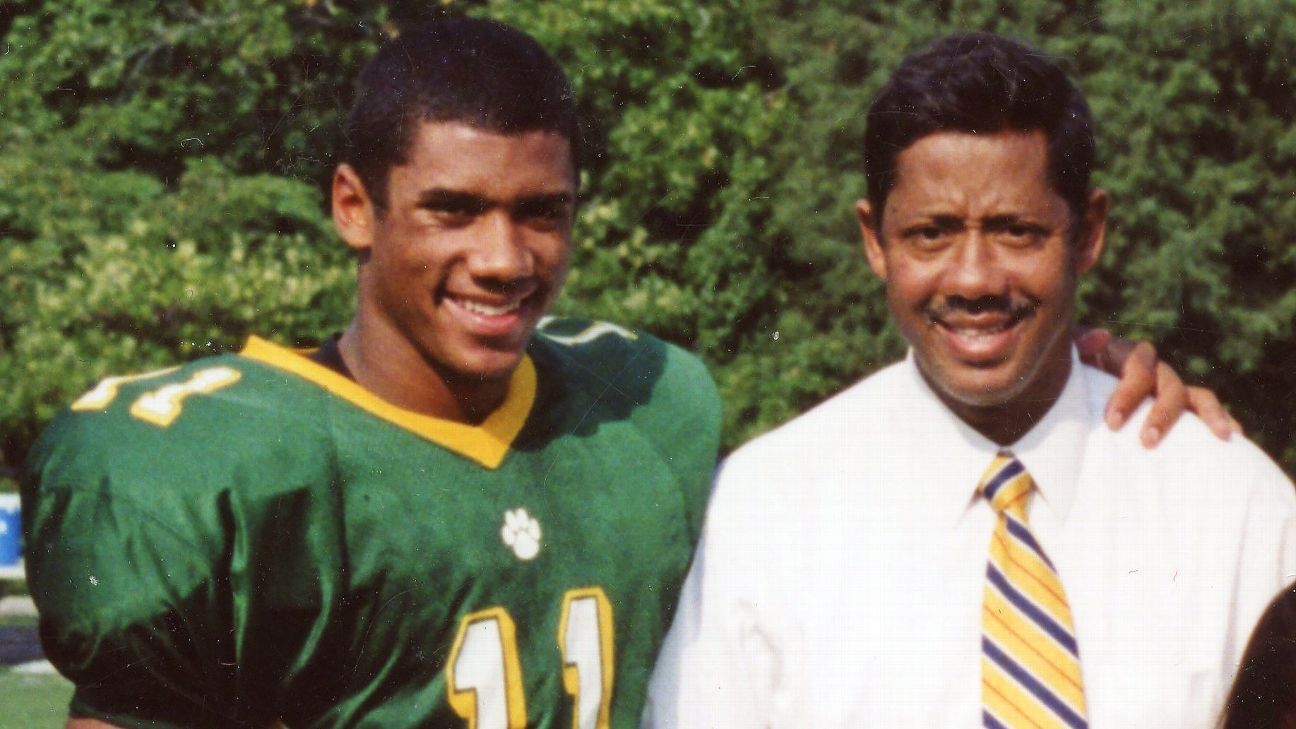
column 458, row 269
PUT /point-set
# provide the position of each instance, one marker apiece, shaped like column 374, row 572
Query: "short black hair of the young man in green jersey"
column 481, row 73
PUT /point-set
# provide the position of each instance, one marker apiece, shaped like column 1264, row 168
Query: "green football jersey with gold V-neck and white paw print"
column 256, row 539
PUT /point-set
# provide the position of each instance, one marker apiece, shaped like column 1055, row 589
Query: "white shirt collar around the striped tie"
column 1052, row 451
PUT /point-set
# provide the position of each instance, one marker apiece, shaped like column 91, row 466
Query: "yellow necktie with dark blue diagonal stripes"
column 1030, row 661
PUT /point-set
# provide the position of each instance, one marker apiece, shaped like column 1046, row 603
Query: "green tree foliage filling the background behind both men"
column 164, row 164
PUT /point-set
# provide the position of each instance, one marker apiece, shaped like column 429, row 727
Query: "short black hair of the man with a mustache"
column 980, row 84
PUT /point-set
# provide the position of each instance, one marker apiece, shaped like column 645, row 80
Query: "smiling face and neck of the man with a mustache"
column 982, row 259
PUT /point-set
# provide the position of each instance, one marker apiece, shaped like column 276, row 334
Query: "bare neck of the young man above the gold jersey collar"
column 392, row 369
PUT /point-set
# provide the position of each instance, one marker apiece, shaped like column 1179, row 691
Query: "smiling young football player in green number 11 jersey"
column 454, row 514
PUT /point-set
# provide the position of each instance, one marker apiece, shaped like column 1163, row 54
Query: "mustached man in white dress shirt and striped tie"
column 843, row 577
